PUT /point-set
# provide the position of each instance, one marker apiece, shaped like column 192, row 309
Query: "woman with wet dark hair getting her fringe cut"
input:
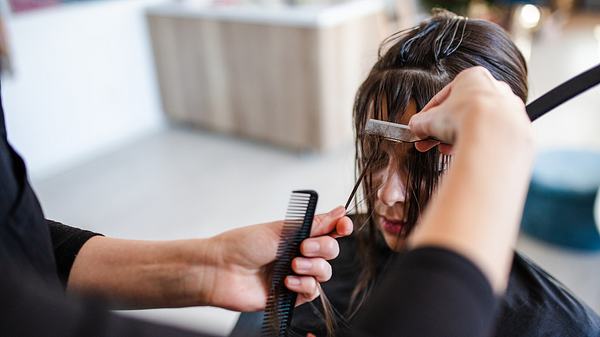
column 413, row 65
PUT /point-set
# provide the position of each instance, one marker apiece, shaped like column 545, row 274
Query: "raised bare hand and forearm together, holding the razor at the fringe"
column 477, row 208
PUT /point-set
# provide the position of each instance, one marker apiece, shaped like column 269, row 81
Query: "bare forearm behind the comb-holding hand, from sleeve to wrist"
column 144, row 274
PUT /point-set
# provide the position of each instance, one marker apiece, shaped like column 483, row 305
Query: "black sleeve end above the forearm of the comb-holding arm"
column 66, row 242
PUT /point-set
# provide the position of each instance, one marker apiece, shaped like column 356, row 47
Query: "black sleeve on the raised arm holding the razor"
column 429, row 292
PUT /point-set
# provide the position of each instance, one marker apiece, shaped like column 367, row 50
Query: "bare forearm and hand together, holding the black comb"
column 229, row 270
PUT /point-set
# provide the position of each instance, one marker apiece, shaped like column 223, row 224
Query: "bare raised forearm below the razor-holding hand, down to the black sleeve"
column 479, row 204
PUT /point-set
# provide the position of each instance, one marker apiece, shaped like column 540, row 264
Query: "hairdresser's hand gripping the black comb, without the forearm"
column 242, row 257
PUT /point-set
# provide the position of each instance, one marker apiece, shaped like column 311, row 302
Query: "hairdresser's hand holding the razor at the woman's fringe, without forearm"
column 472, row 97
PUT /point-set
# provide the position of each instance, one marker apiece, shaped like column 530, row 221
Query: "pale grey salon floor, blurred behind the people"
column 183, row 183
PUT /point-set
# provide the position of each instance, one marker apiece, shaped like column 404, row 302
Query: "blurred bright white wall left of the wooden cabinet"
column 84, row 82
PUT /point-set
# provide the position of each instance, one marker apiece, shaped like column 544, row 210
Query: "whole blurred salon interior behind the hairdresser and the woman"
column 156, row 119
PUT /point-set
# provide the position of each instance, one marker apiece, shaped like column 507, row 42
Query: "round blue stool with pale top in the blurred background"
column 560, row 202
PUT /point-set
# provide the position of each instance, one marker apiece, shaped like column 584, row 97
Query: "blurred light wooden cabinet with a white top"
column 284, row 75
